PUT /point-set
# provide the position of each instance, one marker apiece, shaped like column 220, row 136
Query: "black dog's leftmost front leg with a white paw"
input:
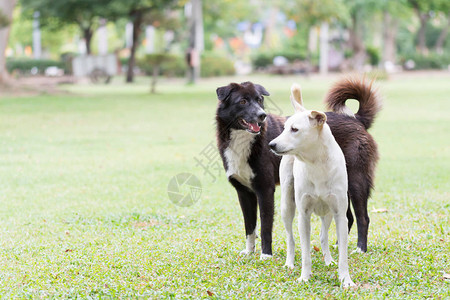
column 249, row 207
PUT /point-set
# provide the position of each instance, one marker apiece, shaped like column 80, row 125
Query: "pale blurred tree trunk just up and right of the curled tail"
column 390, row 26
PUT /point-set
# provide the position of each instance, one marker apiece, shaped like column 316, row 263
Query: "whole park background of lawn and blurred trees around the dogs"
column 100, row 108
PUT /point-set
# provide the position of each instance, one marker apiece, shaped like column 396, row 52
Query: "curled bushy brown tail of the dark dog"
column 360, row 90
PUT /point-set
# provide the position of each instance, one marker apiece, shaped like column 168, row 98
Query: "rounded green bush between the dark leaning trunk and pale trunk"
column 169, row 65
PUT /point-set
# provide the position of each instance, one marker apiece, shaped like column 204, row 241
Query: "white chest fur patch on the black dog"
column 237, row 154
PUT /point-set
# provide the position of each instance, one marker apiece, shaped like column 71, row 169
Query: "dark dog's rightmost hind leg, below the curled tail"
column 359, row 194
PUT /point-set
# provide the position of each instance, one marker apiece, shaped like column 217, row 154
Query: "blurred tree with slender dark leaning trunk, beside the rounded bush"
column 139, row 12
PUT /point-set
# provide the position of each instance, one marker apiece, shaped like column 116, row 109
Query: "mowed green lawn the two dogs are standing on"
column 85, row 210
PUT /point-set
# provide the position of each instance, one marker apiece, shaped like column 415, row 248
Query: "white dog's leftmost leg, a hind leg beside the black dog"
column 288, row 206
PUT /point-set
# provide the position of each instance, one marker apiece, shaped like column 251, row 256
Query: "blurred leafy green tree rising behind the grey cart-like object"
column 54, row 14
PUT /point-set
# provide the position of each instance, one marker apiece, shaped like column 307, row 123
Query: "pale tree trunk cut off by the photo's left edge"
column 7, row 8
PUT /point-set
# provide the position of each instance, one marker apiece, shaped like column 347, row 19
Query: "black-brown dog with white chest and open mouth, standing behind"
column 244, row 132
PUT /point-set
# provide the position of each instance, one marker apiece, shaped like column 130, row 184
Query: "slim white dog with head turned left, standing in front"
column 313, row 168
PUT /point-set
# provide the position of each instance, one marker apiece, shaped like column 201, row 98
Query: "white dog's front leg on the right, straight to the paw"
column 342, row 233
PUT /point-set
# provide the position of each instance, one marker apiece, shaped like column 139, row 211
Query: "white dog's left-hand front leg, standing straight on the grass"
column 304, row 228
